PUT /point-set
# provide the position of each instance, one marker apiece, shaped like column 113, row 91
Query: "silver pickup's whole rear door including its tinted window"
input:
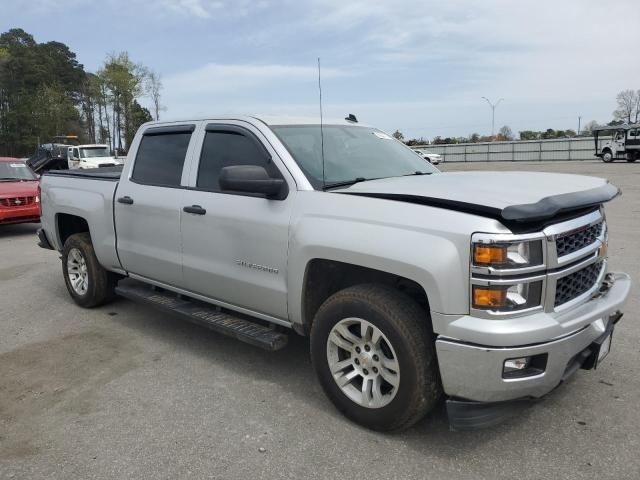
column 149, row 202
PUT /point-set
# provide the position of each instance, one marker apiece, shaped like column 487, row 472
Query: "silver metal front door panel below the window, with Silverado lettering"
column 237, row 251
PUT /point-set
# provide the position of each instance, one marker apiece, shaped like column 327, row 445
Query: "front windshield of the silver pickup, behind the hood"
column 350, row 153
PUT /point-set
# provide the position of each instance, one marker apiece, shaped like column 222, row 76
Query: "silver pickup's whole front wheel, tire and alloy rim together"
column 374, row 356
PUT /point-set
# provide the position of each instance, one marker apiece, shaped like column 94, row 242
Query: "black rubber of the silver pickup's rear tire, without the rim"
column 100, row 284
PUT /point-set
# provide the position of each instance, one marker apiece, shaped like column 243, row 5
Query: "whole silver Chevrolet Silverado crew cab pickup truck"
column 488, row 288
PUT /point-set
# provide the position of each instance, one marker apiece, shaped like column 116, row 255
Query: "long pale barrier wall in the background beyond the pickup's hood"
column 582, row 148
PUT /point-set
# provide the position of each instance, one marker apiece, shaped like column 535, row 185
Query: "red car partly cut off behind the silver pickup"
column 19, row 195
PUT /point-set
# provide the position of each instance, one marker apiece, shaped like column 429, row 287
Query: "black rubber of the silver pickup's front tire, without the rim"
column 405, row 324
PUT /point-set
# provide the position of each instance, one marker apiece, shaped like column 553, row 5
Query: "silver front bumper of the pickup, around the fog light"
column 473, row 372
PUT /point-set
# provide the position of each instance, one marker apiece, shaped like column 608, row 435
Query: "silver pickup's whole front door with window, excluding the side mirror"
column 236, row 252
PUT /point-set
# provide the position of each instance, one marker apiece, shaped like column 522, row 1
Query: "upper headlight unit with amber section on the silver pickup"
column 508, row 255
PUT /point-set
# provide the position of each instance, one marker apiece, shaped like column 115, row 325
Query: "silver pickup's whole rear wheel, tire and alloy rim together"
column 88, row 283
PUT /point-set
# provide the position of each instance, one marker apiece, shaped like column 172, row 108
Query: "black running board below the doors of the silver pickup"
column 205, row 315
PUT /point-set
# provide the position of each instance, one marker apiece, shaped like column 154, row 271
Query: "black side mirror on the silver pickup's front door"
column 252, row 179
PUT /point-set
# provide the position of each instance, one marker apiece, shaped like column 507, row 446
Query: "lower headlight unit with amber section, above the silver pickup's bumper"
column 507, row 298
